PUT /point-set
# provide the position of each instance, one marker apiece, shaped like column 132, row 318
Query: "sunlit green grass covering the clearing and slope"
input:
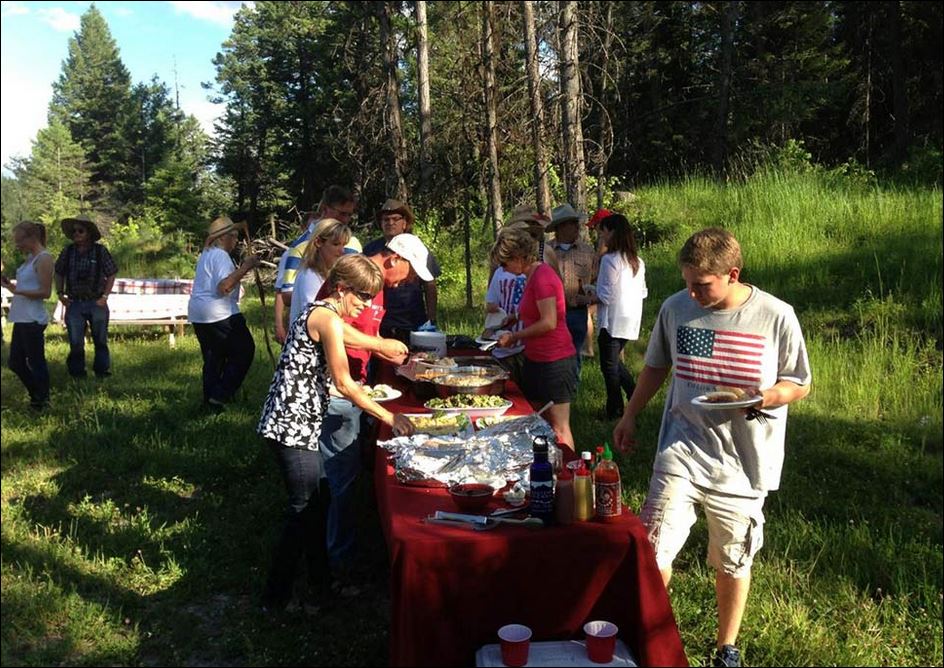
column 136, row 529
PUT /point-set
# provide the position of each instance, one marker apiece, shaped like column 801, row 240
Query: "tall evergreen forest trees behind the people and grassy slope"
column 466, row 109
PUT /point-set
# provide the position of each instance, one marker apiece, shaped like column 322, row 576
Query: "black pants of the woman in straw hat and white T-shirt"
column 228, row 351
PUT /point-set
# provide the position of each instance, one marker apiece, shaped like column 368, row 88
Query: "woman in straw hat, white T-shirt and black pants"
column 225, row 340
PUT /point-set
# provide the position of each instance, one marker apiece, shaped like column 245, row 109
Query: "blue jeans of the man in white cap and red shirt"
column 342, row 461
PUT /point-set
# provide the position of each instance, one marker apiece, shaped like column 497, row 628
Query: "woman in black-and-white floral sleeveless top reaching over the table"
column 314, row 356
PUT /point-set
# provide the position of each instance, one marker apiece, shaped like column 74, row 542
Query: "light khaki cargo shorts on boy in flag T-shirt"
column 735, row 523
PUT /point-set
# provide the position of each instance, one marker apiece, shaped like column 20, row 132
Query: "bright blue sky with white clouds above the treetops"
column 151, row 38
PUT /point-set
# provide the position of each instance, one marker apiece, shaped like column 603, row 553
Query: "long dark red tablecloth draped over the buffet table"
column 452, row 588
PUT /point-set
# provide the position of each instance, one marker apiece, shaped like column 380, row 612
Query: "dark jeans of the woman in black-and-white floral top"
column 303, row 534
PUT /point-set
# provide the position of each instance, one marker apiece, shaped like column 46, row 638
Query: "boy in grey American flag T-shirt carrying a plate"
column 718, row 332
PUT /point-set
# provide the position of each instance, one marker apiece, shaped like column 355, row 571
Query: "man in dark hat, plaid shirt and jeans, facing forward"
column 85, row 273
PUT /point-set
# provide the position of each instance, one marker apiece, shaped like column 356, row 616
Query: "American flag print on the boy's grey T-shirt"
column 719, row 357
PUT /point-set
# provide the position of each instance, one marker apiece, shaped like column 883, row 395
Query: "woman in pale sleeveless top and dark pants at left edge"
column 32, row 287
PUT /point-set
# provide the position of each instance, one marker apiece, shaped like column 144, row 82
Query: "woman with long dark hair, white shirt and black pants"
column 621, row 288
